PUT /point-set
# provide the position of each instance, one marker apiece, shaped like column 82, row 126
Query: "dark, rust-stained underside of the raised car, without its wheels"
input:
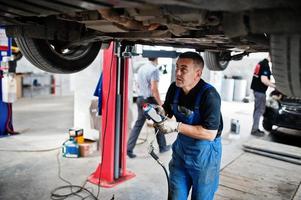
column 178, row 24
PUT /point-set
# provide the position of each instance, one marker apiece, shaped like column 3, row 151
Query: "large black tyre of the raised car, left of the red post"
column 42, row 54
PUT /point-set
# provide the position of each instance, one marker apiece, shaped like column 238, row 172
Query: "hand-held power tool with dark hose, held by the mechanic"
column 151, row 113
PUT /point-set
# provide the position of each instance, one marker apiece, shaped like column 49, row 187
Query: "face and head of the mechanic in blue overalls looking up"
column 187, row 74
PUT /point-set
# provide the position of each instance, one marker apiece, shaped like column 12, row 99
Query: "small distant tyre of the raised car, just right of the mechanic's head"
column 213, row 61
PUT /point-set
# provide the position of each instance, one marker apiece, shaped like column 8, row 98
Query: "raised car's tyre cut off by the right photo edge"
column 286, row 59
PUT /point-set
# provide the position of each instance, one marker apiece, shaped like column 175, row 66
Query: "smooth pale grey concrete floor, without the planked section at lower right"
column 29, row 166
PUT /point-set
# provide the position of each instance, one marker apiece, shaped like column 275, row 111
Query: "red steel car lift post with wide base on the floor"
column 112, row 169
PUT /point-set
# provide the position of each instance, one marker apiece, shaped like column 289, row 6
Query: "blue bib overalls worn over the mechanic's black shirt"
column 195, row 163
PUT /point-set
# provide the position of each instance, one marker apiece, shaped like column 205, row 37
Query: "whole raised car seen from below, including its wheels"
column 65, row 36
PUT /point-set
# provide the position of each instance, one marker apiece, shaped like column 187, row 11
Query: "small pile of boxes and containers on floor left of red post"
column 77, row 146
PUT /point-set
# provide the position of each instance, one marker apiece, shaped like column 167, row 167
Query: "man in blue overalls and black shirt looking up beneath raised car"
column 197, row 150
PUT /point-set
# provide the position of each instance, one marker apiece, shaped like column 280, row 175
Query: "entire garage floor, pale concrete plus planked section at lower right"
column 29, row 165
